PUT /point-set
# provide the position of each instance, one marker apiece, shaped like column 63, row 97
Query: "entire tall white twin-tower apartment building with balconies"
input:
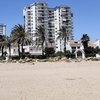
column 52, row 19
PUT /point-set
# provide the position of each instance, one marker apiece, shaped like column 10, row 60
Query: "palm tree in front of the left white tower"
column 40, row 37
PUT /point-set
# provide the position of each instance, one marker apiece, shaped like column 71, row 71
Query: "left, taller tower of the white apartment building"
column 36, row 14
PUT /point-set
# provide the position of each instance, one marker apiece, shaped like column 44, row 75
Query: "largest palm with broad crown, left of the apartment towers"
column 21, row 37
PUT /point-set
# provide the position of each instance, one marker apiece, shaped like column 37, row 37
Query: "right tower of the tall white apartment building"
column 62, row 17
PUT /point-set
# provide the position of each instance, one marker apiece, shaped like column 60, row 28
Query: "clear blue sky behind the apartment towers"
column 86, row 15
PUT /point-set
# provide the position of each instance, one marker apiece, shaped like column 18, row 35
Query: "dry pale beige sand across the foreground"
column 50, row 81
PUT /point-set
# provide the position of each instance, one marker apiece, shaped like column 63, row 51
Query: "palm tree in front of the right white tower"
column 64, row 35
